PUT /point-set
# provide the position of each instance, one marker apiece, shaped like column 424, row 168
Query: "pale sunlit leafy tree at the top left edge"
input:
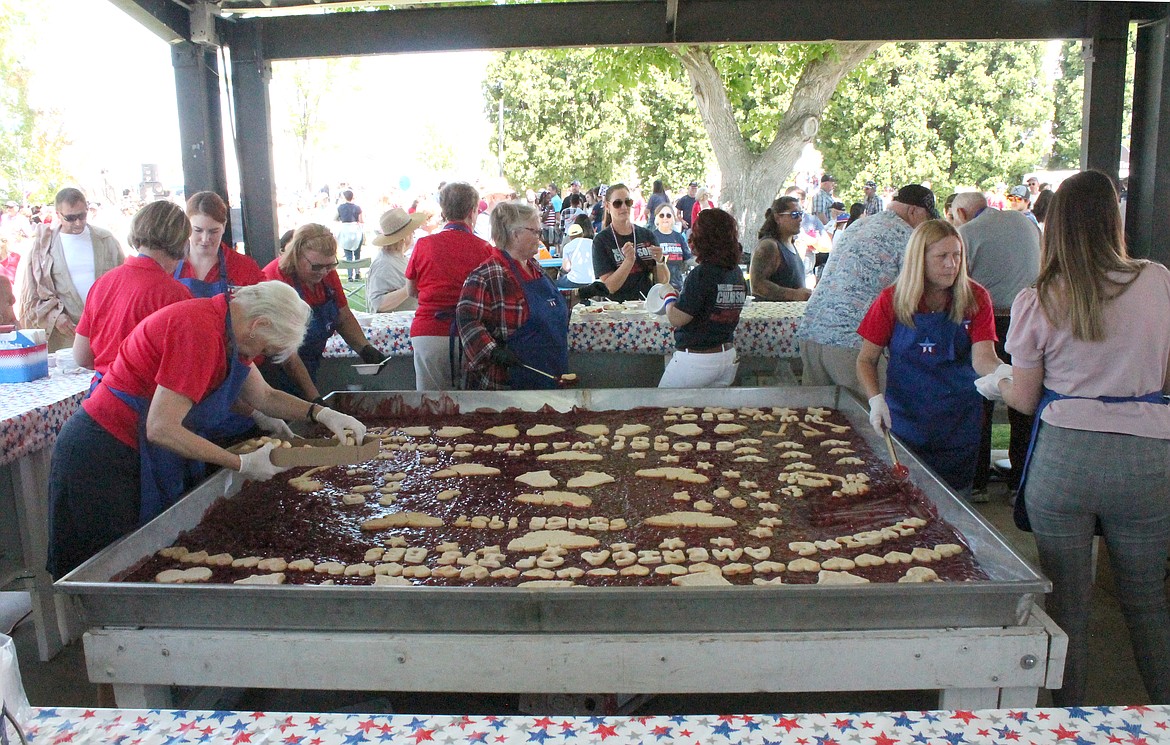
column 31, row 140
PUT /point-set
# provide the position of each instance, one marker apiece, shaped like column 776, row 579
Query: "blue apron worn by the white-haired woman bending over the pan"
column 166, row 475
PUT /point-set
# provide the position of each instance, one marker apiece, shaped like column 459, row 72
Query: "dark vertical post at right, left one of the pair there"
column 1105, row 88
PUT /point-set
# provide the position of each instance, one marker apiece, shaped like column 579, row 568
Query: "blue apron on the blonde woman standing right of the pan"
column 931, row 391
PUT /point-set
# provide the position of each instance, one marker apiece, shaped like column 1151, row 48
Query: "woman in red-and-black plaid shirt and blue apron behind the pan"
column 511, row 315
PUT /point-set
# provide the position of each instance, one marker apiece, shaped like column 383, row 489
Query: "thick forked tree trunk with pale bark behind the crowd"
column 751, row 182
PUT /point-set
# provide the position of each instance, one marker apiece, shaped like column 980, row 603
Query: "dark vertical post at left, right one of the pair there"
column 251, row 74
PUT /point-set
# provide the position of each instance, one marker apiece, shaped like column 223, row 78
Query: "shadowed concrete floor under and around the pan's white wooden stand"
column 64, row 681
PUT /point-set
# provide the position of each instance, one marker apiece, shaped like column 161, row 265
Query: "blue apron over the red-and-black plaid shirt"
column 543, row 340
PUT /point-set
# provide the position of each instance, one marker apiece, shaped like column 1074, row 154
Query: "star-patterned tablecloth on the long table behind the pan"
column 765, row 330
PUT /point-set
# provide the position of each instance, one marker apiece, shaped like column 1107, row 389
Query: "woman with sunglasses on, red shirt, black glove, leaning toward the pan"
column 309, row 264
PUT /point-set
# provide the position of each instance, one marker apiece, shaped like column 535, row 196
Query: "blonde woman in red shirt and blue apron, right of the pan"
column 940, row 329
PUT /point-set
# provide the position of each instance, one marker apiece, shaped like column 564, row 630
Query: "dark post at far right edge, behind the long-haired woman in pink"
column 1148, row 204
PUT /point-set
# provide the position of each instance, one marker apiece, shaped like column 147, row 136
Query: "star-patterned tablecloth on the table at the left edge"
column 32, row 413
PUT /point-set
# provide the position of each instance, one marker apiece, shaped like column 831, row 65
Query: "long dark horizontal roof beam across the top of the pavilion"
column 607, row 24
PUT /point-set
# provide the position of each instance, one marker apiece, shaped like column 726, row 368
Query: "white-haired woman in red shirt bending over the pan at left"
column 175, row 378
